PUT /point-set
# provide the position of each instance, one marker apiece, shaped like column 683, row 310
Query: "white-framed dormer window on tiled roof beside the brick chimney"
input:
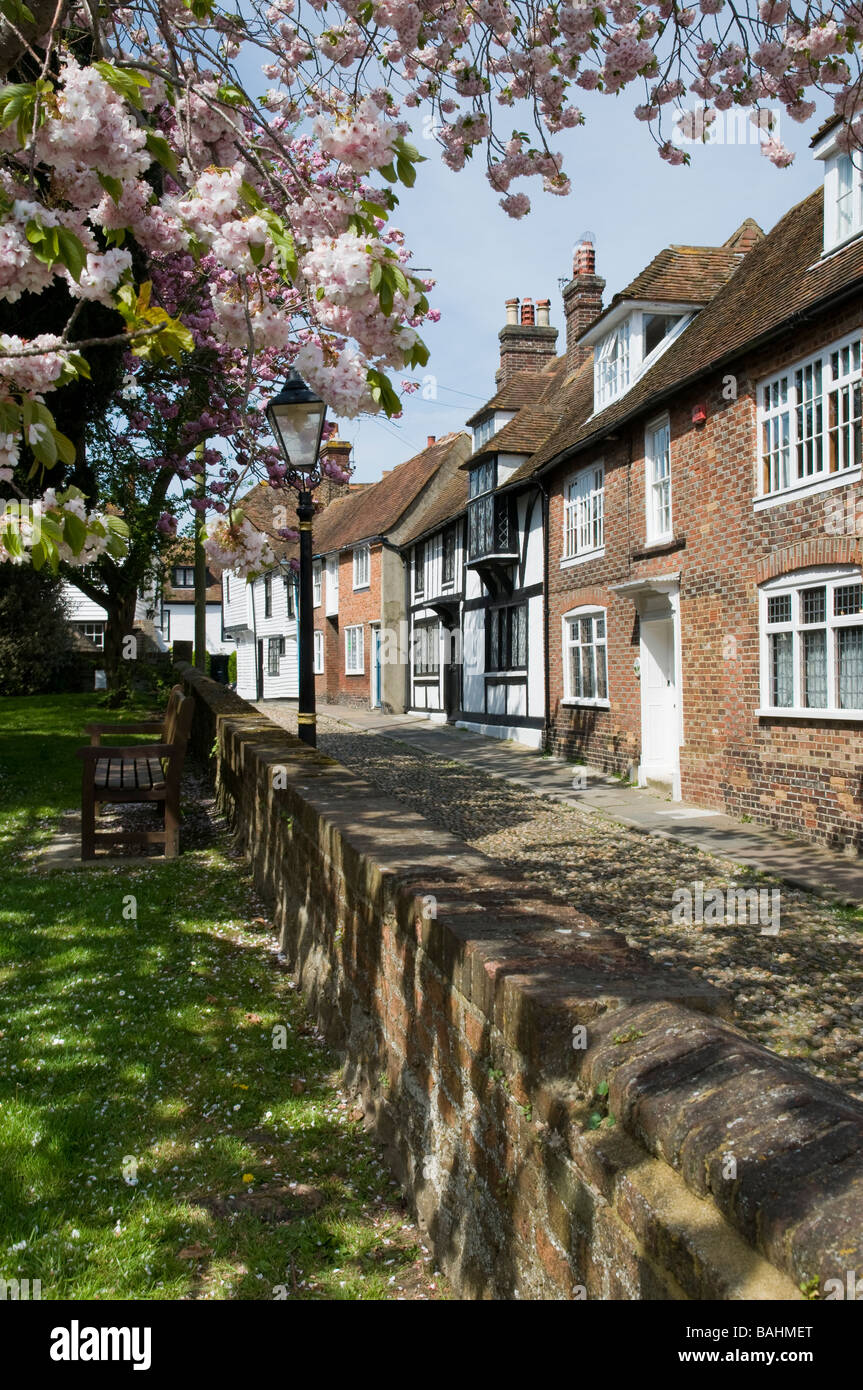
column 633, row 341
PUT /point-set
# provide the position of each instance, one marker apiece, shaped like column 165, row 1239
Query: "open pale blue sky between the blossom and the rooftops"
column 632, row 202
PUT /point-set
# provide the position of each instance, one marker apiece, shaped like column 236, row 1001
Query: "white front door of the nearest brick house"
column 659, row 704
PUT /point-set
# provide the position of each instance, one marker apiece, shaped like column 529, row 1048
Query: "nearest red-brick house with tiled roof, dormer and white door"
column 705, row 598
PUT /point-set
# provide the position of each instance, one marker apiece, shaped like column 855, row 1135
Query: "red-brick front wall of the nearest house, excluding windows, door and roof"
column 790, row 774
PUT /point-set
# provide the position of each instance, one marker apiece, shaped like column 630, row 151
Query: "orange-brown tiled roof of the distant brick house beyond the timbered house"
column 379, row 509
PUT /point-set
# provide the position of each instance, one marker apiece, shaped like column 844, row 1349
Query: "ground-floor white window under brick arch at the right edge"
column 793, row 584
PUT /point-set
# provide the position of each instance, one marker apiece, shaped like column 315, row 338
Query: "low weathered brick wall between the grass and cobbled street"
column 457, row 992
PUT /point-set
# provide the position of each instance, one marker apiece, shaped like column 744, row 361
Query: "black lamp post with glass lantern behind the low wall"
column 297, row 419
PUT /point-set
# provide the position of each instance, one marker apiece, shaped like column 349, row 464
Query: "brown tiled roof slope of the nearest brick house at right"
column 782, row 279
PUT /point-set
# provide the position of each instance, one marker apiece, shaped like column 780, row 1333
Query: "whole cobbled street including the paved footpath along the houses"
column 620, row 854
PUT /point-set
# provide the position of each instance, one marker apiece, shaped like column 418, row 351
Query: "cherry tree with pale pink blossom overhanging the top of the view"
column 141, row 173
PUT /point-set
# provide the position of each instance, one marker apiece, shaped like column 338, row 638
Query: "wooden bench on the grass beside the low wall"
column 137, row 774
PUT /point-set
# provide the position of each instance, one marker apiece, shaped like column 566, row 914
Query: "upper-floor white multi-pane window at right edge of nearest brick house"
column 782, row 445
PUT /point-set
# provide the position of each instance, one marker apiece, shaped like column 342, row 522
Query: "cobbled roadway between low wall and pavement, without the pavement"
column 800, row 993
